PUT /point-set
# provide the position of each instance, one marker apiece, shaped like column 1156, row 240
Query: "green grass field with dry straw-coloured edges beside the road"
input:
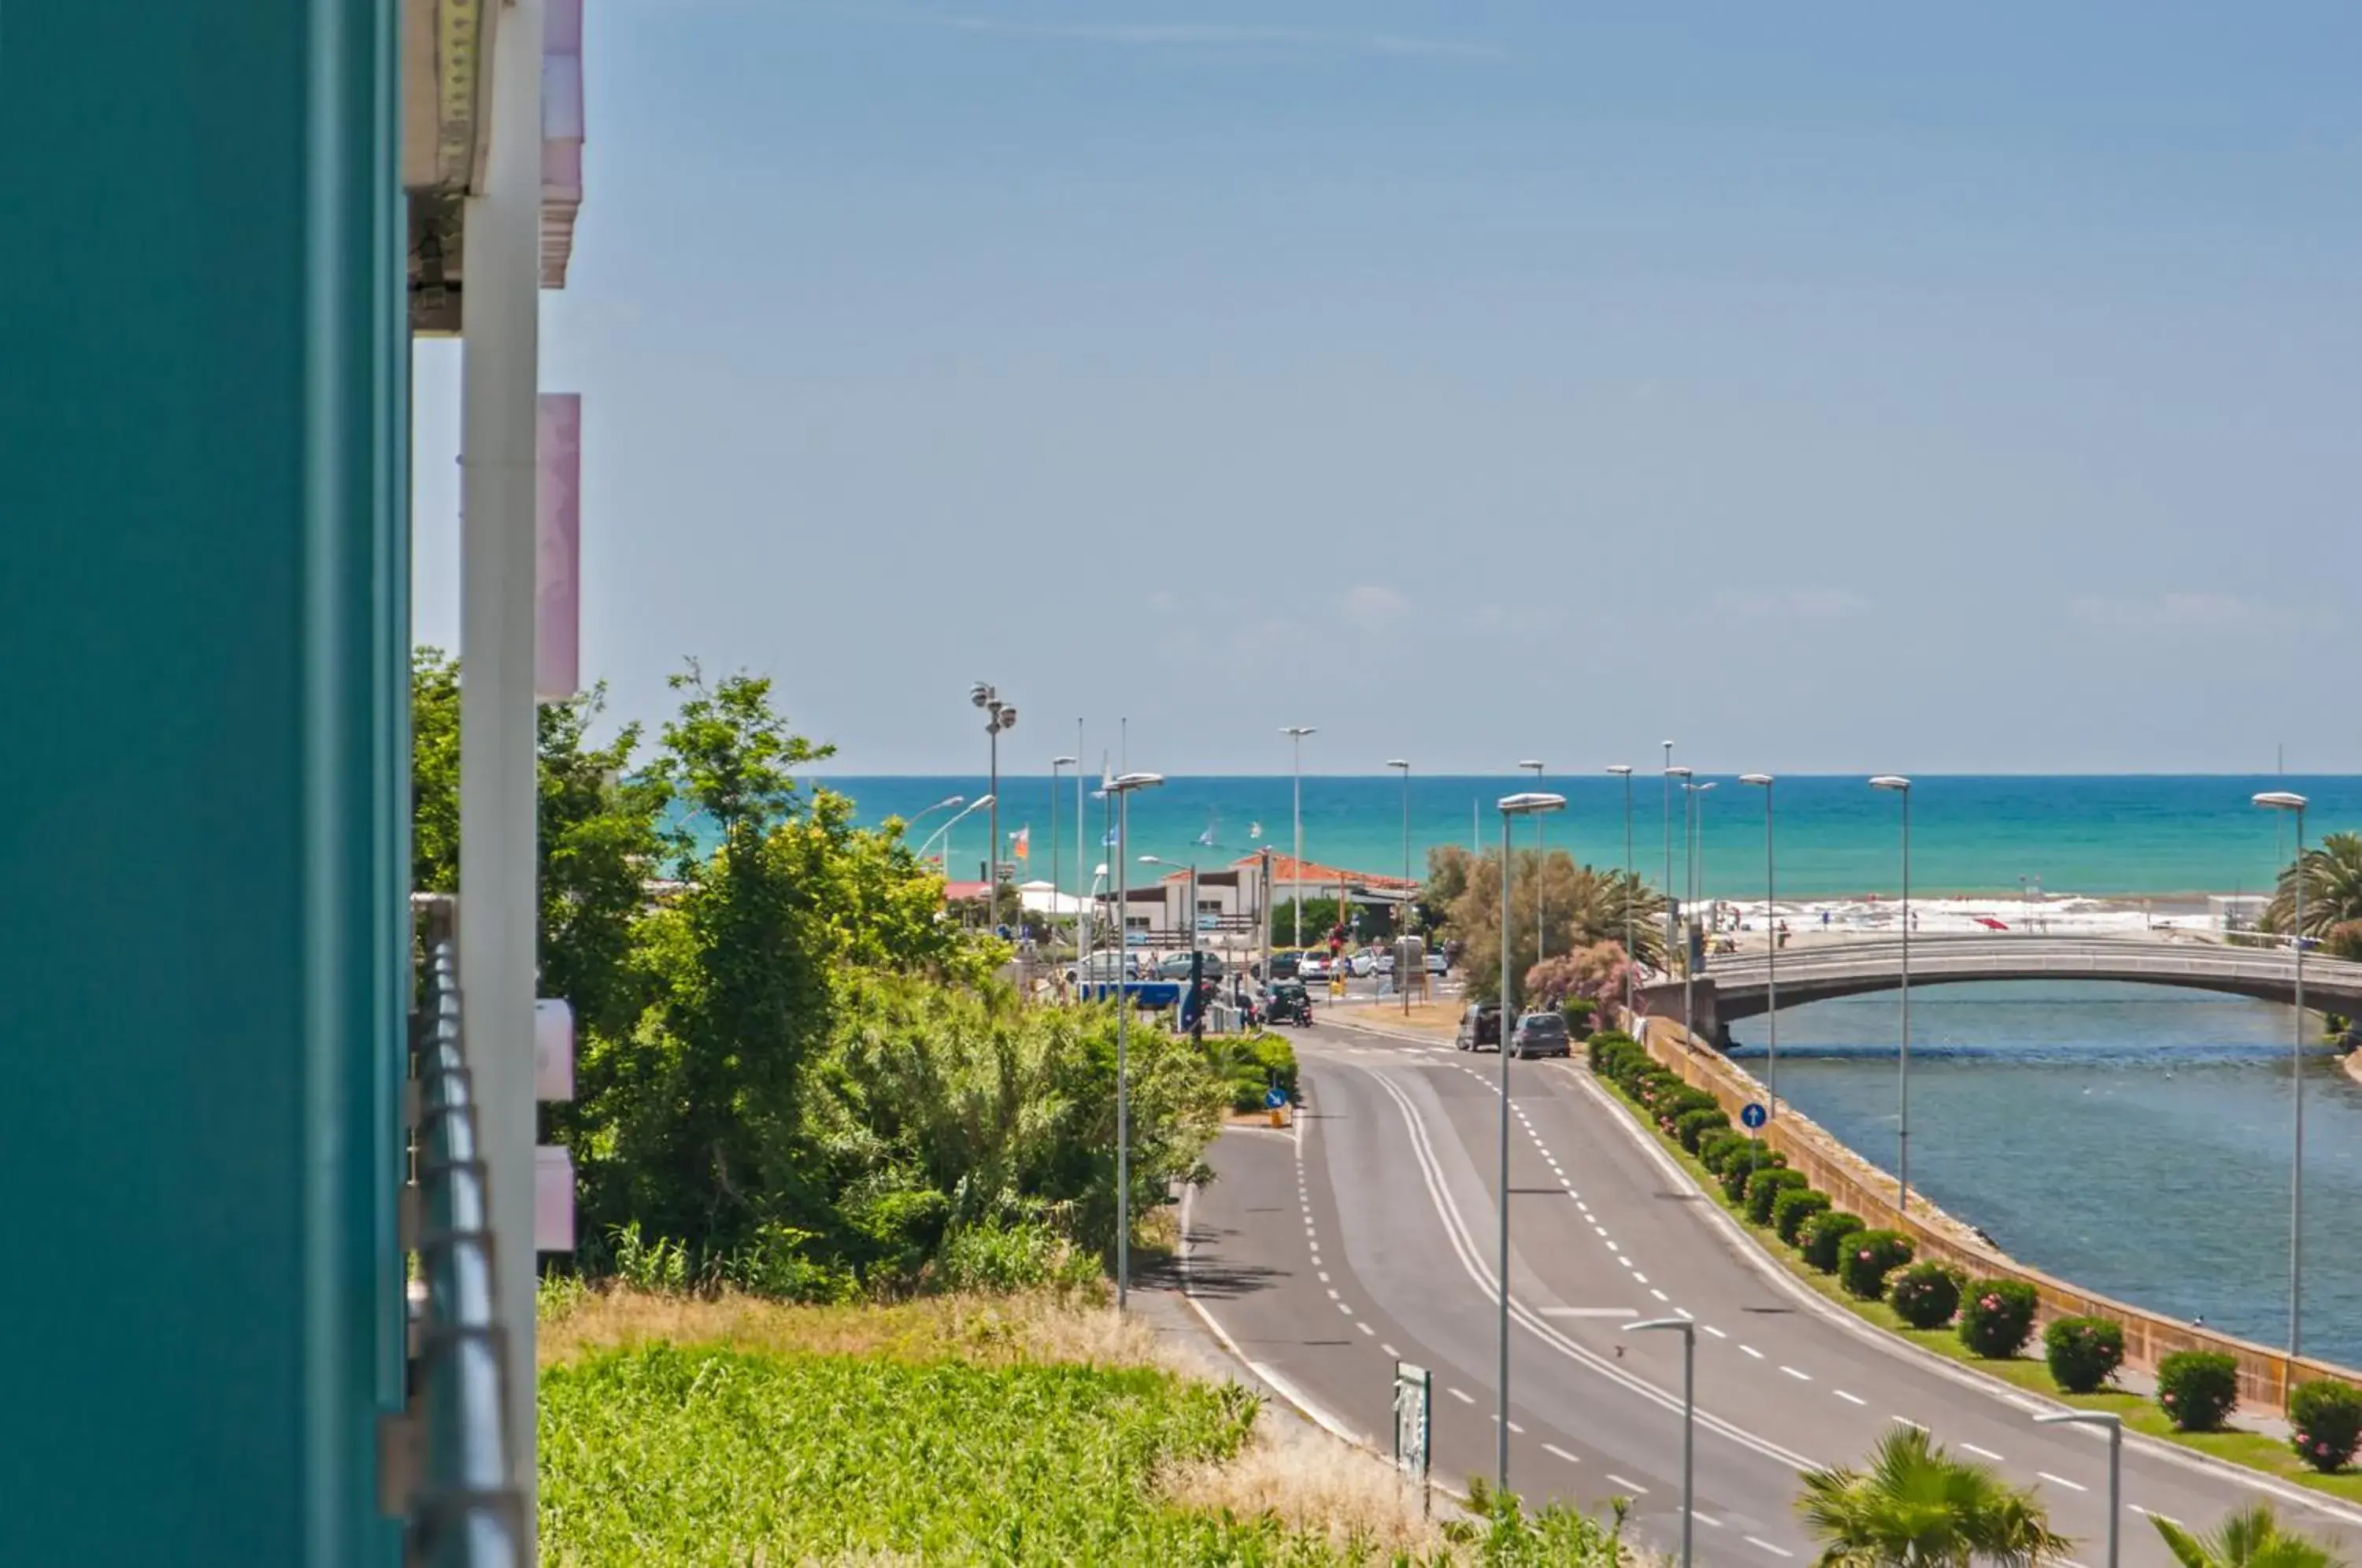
column 970, row 1432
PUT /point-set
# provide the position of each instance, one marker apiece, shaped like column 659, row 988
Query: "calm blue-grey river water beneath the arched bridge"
column 2125, row 1137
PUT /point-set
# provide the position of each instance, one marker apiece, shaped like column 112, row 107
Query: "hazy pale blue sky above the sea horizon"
column 1827, row 386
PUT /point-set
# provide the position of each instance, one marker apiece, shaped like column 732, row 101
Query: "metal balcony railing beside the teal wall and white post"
column 464, row 1508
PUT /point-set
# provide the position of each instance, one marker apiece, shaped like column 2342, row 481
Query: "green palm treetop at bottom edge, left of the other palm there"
column 1919, row 1508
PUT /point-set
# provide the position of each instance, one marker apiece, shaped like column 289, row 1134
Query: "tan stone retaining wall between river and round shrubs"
column 1858, row 1187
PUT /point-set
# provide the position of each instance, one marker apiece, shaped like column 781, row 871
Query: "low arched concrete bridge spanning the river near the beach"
column 1740, row 986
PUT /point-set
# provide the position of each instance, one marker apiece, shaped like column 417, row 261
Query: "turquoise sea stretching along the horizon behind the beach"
column 2113, row 837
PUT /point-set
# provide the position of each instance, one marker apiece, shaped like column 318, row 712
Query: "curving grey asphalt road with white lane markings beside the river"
column 1369, row 1234
